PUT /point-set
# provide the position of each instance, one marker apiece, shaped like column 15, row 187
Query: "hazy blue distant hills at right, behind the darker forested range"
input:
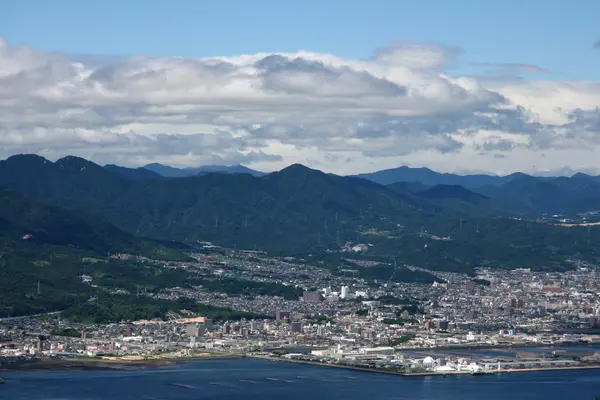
column 514, row 194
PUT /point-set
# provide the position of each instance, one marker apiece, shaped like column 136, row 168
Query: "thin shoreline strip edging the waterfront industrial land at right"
column 425, row 373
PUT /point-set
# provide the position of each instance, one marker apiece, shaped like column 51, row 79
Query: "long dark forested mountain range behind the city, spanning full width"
column 299, row 210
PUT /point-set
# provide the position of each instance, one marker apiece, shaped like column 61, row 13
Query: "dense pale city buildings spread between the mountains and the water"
column 286, row 309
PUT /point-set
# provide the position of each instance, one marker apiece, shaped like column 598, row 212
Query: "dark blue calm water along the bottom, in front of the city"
column 247, row 379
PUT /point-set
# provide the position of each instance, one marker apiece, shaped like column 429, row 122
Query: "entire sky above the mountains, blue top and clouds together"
column 457, row 86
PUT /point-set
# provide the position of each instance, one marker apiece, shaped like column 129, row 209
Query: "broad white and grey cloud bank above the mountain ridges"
column 271, row 109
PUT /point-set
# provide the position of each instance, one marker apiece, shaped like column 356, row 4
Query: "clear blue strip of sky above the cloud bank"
column 553, row 34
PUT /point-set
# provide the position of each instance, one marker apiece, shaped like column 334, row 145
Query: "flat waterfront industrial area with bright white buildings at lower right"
column 443, row 362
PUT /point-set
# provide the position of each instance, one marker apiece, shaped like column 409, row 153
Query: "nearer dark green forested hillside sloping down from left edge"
column 44, row 250
